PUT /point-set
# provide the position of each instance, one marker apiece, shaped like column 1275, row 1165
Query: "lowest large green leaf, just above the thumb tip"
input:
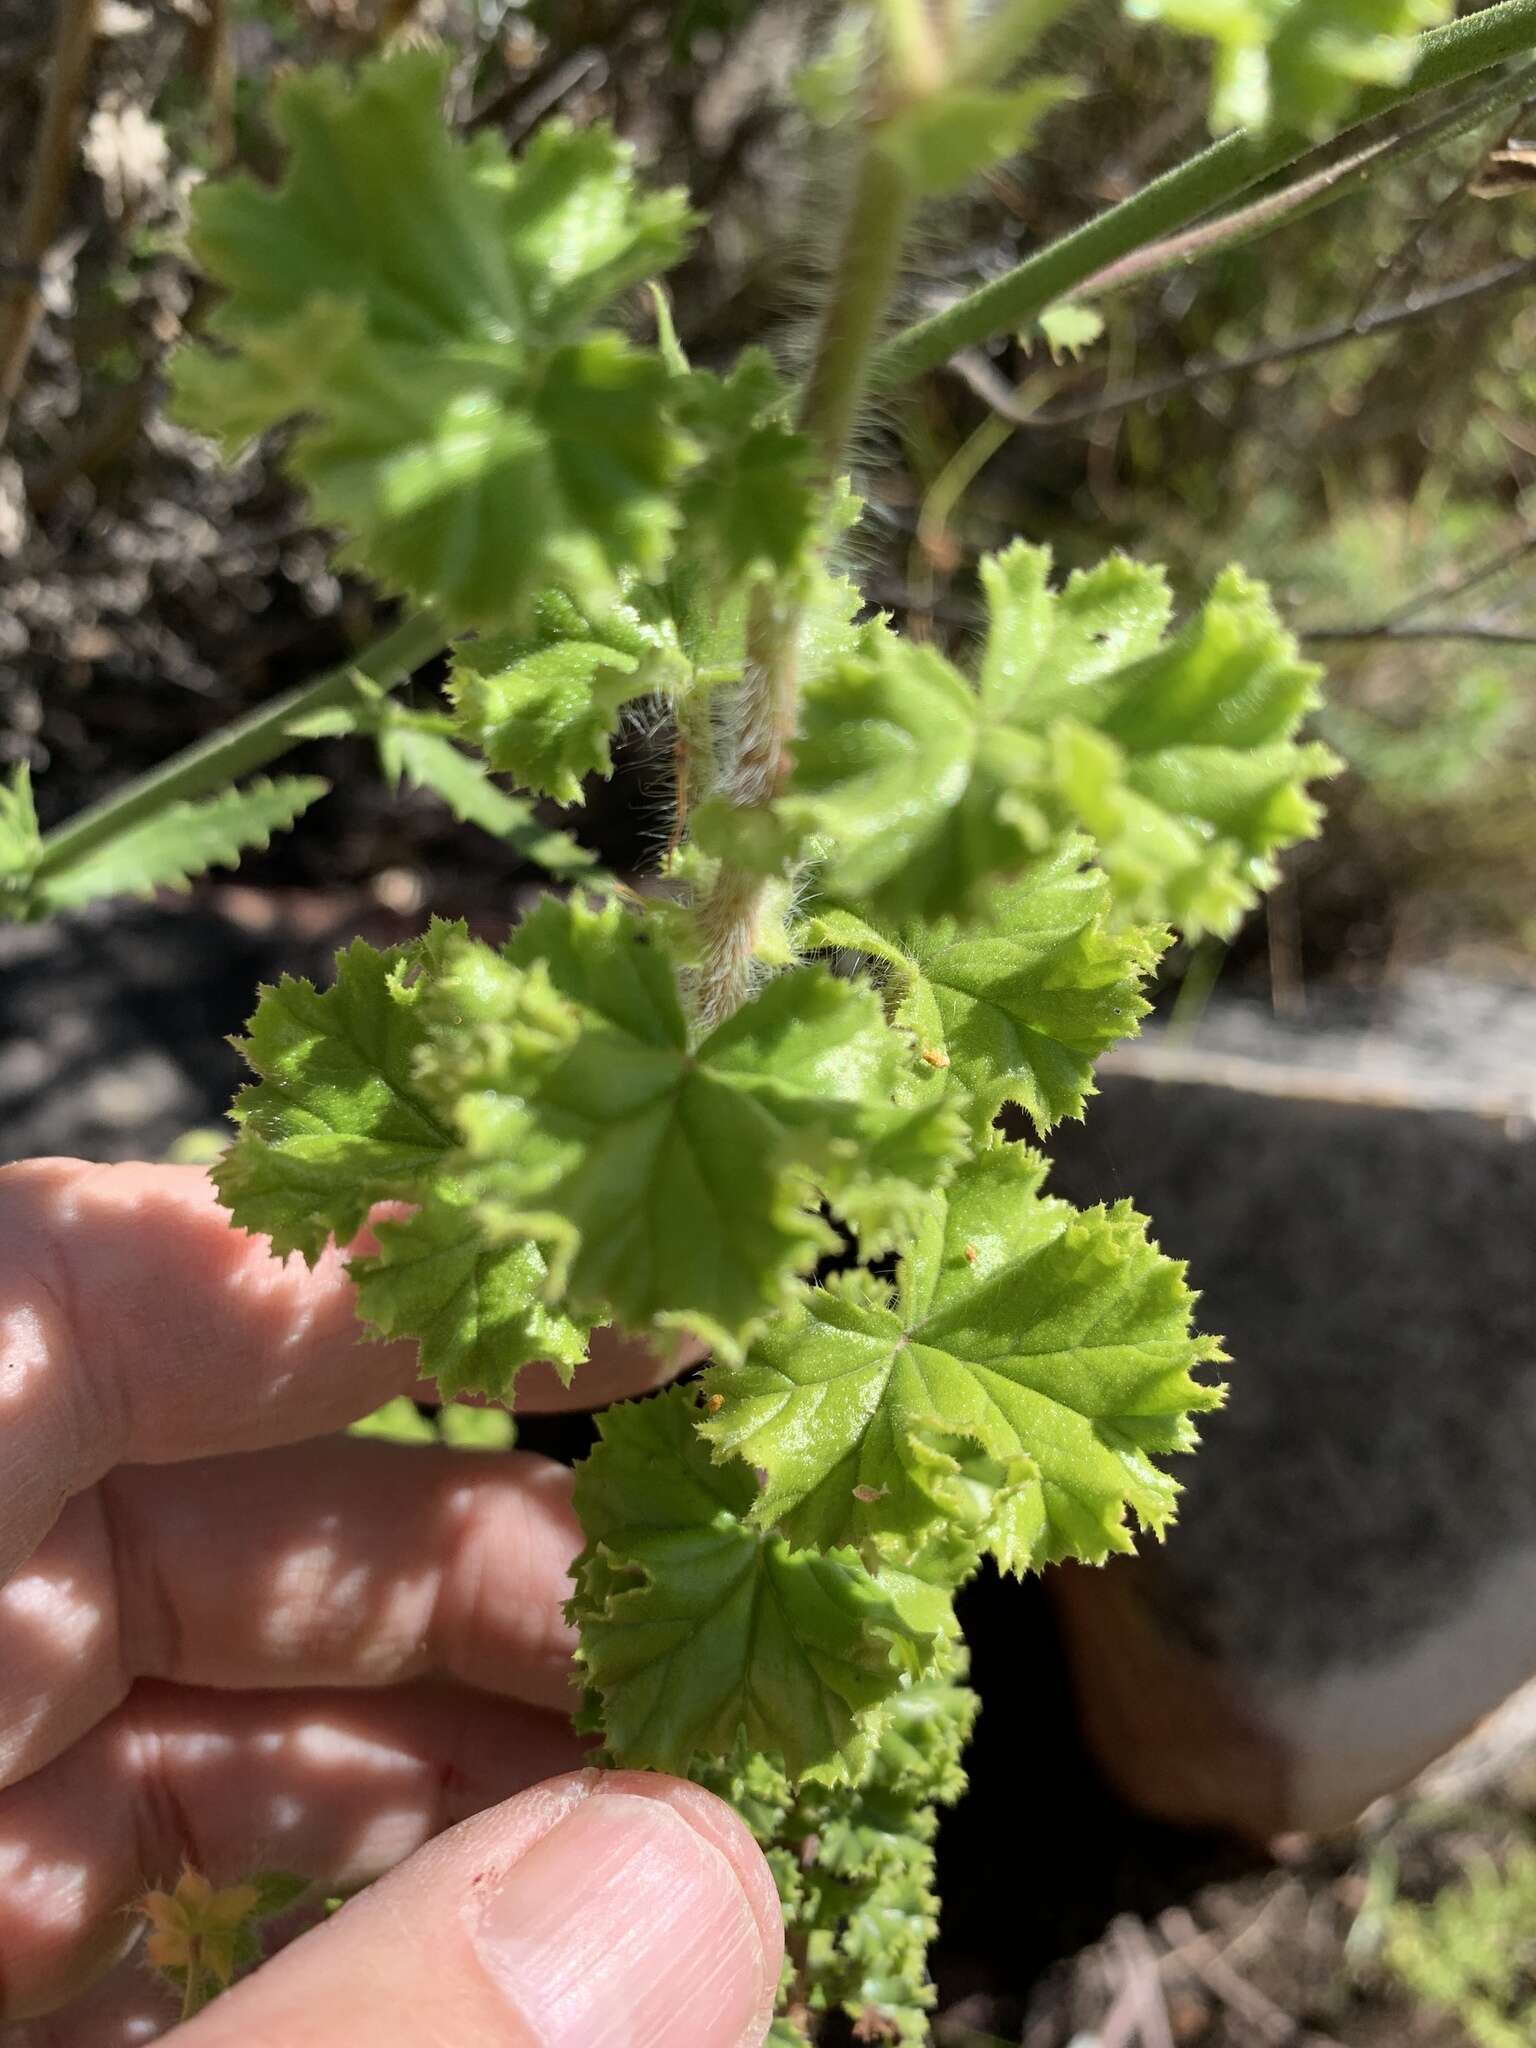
column 701, row 1631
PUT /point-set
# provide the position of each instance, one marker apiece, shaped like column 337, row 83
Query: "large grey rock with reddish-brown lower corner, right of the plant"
column 1353, row 1580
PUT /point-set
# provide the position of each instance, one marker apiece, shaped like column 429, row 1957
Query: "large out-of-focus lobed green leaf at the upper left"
column 423, row 308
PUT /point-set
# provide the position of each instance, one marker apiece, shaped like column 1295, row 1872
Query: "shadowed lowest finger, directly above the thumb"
column 329, row 1785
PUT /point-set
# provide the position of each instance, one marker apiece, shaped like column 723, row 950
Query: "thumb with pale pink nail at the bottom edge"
column 607, row 1910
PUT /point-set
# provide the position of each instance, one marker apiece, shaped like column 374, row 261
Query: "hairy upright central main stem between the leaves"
column 755, row 753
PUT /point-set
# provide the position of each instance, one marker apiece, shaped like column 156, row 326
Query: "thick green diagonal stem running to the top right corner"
column 1183, row 196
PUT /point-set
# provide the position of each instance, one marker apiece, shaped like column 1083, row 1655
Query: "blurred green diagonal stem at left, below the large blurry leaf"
column 251, row 742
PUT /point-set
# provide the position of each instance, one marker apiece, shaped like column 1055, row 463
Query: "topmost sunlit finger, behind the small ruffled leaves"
column 138, row 1328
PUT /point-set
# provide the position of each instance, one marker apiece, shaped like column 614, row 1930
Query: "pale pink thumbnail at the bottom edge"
column 628, row 1928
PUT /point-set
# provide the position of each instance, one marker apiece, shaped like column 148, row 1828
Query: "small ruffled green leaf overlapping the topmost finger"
column 476, row 1306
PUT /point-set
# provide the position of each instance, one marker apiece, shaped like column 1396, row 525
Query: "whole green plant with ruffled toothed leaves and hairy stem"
column 757, row 1105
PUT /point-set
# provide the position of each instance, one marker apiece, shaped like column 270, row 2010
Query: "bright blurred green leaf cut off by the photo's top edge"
column 1299, row 65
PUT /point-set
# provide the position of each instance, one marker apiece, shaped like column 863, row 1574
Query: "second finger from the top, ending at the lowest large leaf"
column 331, row 1564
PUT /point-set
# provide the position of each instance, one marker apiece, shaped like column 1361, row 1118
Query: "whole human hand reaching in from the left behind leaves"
column 228, row 1646
